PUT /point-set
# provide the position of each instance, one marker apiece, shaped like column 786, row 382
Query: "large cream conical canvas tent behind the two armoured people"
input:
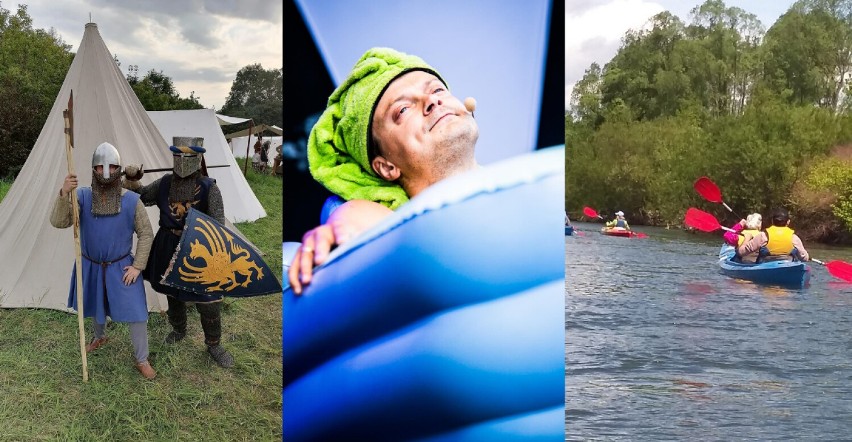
column 37, row 258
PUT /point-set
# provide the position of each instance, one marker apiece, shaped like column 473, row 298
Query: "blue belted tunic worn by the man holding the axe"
column 106, row 242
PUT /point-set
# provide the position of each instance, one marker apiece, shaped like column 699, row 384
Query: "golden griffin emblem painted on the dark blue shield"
column 227, row 264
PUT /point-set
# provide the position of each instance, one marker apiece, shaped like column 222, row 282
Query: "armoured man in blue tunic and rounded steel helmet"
column 109, row 217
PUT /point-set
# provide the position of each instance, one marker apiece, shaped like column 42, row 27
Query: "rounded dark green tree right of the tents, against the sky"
column 257, row 93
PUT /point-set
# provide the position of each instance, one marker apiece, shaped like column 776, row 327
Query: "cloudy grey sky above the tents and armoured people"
column 200, row 44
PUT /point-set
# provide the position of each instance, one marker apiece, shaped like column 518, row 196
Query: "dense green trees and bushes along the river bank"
column 766, row 114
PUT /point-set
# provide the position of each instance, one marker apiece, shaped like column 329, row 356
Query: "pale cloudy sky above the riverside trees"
column 593, row 28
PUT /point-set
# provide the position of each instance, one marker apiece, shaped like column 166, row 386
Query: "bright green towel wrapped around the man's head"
column 337, row 147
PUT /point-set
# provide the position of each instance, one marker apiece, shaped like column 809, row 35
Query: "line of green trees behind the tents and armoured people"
column 33, row 65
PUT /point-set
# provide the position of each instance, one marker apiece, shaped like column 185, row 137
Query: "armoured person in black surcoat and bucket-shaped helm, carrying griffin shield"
column 174, row 194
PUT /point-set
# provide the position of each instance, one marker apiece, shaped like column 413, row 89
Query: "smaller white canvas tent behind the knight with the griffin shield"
column 240, row 202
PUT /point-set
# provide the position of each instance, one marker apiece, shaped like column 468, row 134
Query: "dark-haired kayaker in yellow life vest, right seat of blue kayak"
column 778, row 242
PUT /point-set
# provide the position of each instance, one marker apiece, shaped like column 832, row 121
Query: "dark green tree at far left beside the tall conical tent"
column 33, row 64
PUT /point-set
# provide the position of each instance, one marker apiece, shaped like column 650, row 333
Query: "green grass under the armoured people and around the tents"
column 44, row 398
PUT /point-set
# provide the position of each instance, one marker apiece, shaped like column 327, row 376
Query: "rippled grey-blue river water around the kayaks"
column 660, row 346
